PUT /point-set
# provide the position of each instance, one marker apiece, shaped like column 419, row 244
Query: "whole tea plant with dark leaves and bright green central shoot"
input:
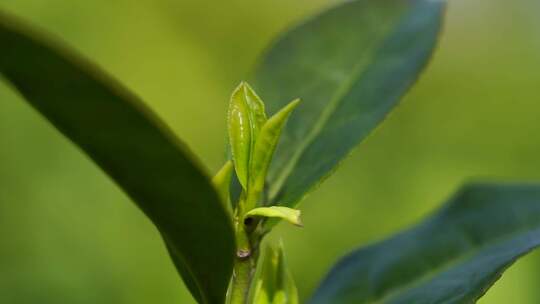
column 350, row 65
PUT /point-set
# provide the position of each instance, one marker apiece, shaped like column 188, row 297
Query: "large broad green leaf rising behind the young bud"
column 350, row 65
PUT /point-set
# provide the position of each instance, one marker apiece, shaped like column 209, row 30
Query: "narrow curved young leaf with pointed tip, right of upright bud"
column 265, row 146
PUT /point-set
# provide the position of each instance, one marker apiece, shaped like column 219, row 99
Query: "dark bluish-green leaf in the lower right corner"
column 454, row 256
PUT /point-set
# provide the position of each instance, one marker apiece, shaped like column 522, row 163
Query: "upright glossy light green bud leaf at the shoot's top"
column 246, row 117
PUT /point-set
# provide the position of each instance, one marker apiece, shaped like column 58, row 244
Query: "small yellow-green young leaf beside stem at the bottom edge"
column 274, row 283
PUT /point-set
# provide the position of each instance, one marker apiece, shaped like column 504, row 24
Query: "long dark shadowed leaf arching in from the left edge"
column 132, row 146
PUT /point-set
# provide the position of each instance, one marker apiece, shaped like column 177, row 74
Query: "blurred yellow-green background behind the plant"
column 69, row 235
